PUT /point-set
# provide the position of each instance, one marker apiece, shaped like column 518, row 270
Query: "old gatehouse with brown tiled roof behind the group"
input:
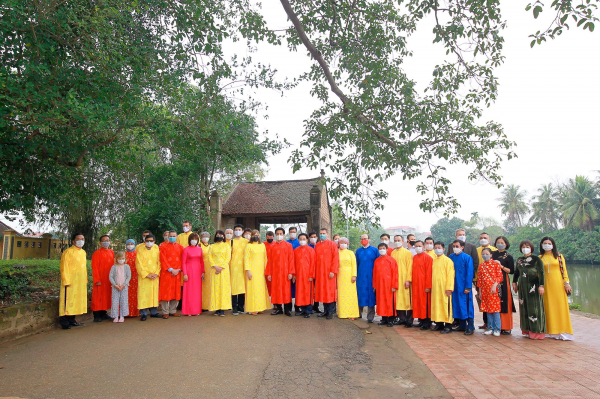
column 274, row 202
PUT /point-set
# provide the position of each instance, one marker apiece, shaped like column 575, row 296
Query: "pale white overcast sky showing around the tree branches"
column 548, row 102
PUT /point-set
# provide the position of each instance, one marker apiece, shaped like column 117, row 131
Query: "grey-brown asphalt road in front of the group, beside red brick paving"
column 207, row 356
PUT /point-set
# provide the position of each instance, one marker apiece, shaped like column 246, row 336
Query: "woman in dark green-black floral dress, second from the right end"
column 528, row 282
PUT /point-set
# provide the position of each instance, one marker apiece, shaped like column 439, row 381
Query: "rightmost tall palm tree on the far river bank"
column 578, row 207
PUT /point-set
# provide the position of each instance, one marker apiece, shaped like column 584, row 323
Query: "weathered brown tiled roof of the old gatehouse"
column 269, row 197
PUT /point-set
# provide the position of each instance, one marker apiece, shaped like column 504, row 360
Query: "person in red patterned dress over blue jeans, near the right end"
column 489, row 275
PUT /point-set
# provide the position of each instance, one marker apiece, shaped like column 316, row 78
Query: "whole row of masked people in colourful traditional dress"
column 398, row 281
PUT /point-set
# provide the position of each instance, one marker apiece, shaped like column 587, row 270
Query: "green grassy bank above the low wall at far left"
column 31, row 280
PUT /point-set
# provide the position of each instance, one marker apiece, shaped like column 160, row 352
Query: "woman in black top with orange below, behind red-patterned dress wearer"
column 507, row 264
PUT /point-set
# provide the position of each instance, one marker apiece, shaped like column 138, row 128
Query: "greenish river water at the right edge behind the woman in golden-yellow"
column 585, row 281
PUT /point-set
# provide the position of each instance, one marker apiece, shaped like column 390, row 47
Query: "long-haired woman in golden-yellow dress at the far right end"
column 556, row 303
